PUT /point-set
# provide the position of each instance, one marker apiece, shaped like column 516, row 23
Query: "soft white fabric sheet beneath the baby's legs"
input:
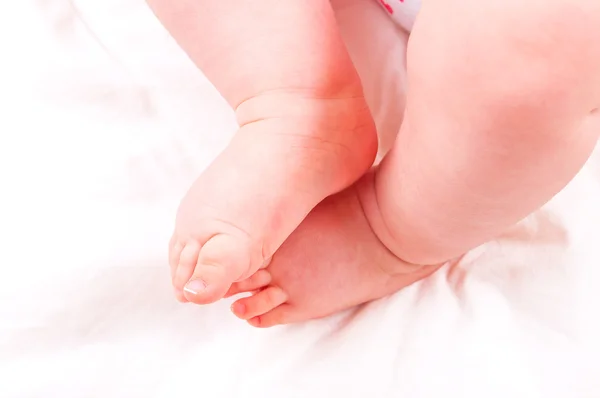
column 105, row 123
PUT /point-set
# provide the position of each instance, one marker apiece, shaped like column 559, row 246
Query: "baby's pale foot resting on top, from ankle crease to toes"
column 289, row 154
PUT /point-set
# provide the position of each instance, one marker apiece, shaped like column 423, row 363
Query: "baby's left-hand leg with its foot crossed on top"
column 305, row 132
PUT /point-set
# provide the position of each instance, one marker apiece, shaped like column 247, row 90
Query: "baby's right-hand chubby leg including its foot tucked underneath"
column 496, row 124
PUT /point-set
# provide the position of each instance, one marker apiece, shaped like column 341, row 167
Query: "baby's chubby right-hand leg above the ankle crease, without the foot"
column 501, row 115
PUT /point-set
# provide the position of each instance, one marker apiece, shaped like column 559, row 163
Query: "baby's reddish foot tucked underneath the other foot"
column 332, row 262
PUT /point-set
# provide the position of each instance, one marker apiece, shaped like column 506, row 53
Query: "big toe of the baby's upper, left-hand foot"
column 221, row 262
